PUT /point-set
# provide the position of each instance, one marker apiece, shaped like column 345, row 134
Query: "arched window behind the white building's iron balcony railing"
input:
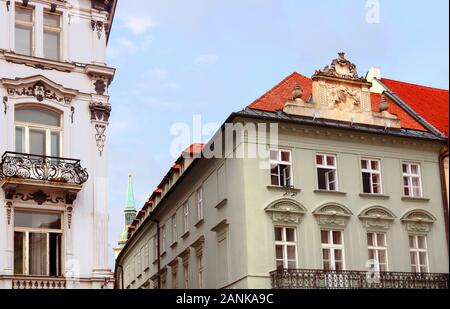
column 38, row 131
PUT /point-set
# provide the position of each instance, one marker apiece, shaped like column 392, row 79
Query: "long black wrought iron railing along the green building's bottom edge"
column 321, row 279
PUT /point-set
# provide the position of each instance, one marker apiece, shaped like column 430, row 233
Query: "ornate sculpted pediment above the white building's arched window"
column 39, row 87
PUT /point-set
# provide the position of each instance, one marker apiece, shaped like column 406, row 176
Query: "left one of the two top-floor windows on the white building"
column 24, row 31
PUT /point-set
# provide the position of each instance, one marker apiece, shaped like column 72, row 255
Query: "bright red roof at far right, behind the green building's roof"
column 430, row 103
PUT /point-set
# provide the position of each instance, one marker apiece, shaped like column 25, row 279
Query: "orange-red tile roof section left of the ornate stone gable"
column 275, row 98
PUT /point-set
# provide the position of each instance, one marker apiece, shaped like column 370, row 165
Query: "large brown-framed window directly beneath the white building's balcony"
column 37, row 243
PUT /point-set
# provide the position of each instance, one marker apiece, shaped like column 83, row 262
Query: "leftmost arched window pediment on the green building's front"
column 286, row 211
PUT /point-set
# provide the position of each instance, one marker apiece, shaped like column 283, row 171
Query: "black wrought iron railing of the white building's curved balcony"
column 34, row 167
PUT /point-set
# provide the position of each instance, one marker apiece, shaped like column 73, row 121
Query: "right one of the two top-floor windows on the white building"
column 52, row 36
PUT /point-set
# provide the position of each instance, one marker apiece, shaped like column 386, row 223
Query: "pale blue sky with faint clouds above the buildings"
column 177, row 58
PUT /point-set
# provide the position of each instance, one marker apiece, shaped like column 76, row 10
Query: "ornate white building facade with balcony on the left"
column 54, row 106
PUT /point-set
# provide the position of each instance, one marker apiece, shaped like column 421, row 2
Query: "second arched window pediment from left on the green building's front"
column 332, row 215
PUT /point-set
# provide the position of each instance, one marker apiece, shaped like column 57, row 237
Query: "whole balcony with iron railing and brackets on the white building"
column 33, row 172
